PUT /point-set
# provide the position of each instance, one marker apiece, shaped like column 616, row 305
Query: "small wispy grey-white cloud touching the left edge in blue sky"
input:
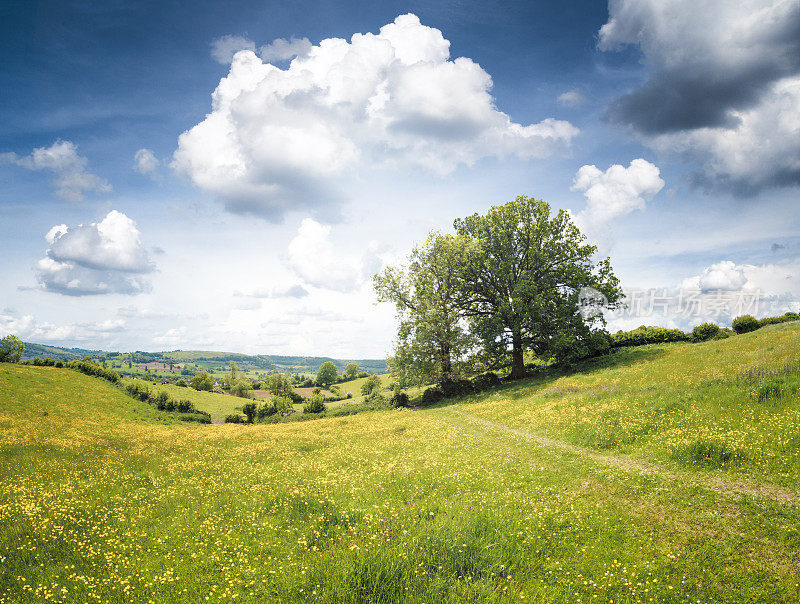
column 62, row 158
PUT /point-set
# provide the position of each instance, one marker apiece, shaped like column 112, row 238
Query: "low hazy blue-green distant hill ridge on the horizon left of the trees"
column 205, row 358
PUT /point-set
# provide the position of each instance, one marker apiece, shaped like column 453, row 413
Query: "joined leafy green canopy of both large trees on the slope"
column 508, row 281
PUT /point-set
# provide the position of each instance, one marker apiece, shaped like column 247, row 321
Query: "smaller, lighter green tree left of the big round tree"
column 430, row 297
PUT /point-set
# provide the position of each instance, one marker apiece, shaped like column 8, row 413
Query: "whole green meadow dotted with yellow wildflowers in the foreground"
column 571, row 488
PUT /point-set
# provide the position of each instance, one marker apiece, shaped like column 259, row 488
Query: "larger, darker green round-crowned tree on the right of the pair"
column 523, row 276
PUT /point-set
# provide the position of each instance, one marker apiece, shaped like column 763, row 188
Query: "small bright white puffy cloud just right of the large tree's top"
column 616, row 192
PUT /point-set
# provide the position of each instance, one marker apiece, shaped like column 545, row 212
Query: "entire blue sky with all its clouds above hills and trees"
column 674, row 143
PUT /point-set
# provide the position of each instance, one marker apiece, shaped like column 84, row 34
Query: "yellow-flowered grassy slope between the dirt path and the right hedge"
column 694, row 404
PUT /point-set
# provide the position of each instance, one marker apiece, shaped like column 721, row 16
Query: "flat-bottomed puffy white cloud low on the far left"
column 99, row 258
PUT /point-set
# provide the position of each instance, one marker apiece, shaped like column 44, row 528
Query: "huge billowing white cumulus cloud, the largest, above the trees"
column 277, row 139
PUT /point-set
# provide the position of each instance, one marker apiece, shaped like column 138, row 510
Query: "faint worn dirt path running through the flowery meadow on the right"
column 733, row 487
